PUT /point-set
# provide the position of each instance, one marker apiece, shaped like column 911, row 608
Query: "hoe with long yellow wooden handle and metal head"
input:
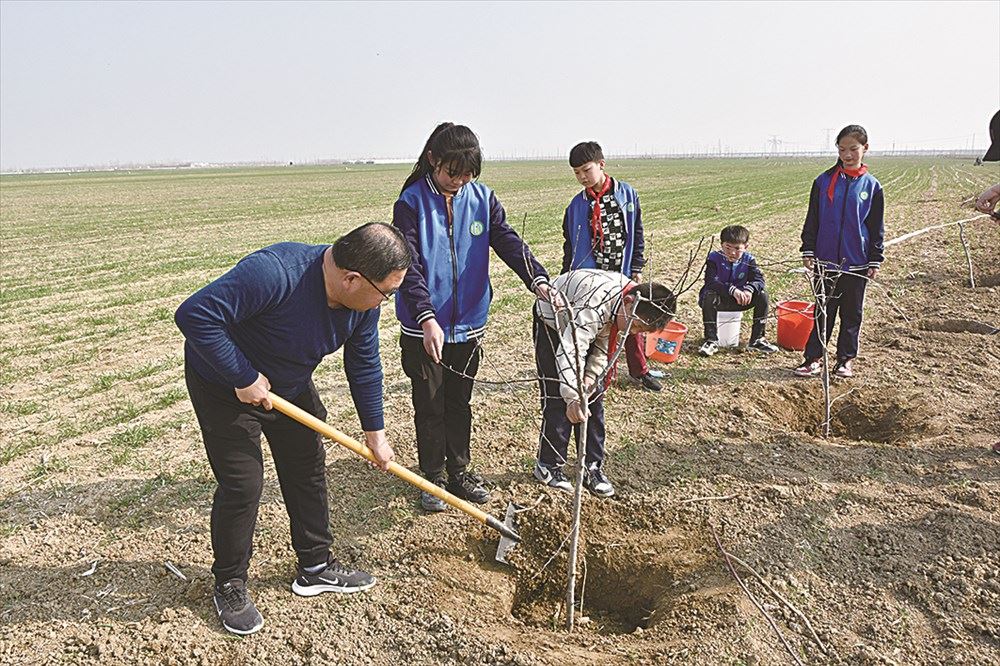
column 509, row 537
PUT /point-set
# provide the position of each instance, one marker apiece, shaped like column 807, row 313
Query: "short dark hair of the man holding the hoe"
column 375, row 250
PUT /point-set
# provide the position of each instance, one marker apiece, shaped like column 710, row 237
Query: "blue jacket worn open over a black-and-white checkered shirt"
column 578, row 245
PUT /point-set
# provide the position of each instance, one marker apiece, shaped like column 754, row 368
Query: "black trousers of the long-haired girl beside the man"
column 441, row 413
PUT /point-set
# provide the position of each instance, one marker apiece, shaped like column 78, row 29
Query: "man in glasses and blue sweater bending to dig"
column 265, row 326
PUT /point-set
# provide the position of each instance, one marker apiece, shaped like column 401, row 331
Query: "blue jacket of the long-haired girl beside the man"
column 449, row 279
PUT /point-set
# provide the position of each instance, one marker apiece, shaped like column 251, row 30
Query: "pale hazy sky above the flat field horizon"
column 112, row 83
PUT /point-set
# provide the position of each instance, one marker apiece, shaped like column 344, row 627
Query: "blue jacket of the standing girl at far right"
column 846, row 233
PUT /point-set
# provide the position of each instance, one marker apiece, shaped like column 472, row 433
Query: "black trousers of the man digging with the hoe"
column 231, row 430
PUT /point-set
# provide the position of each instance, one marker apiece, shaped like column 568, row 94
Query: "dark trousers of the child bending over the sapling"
column 554, row 438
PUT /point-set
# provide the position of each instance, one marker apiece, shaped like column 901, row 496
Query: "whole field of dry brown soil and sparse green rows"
column 885, row 536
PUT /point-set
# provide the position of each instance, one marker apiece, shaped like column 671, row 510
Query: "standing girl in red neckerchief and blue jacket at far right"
column 843, row 233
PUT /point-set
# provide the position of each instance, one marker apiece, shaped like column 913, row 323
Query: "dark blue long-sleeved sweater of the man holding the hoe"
column 269, row 314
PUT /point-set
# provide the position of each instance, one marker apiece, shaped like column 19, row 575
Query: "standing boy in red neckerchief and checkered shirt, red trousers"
column 602, row 229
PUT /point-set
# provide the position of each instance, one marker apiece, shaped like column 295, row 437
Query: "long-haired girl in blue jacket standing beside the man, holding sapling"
column 451, row 222
